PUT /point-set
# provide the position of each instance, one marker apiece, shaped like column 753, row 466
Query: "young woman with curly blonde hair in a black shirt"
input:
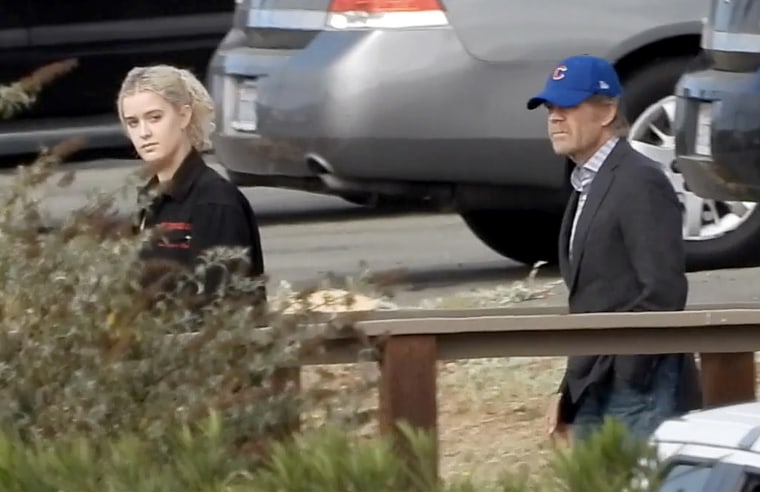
column 168, row 116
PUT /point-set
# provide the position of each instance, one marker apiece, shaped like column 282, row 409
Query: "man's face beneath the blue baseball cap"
column 579, row 131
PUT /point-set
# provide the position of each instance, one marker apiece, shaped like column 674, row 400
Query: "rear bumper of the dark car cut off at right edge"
column 718, row 134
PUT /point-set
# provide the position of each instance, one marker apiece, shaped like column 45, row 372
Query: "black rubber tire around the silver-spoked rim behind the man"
column 739, row 247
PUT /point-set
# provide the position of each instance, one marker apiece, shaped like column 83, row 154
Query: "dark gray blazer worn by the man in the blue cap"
column 627, row 256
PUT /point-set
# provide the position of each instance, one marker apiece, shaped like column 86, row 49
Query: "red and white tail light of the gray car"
column 386, row 14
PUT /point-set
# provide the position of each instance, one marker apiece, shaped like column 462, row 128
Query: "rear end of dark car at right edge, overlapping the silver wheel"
column 718, row 120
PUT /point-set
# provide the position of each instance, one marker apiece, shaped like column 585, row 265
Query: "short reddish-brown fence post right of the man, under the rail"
column 727, row 378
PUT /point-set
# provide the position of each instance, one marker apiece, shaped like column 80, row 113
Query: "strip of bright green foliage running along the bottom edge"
column 324, row 460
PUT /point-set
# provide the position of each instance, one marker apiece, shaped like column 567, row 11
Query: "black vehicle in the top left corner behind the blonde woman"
column 108, row 38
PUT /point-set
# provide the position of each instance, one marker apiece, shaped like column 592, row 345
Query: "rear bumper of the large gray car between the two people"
column 374, row 108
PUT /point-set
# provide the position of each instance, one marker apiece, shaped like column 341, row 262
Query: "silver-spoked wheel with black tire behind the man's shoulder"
column 718, row 234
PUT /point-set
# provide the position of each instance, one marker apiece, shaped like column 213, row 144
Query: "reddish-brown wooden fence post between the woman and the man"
column 408, row 390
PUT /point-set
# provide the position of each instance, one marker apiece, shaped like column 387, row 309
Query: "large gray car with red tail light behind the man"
column 424, row 101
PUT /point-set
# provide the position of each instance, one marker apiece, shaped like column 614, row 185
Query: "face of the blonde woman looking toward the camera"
column 155, row 126
